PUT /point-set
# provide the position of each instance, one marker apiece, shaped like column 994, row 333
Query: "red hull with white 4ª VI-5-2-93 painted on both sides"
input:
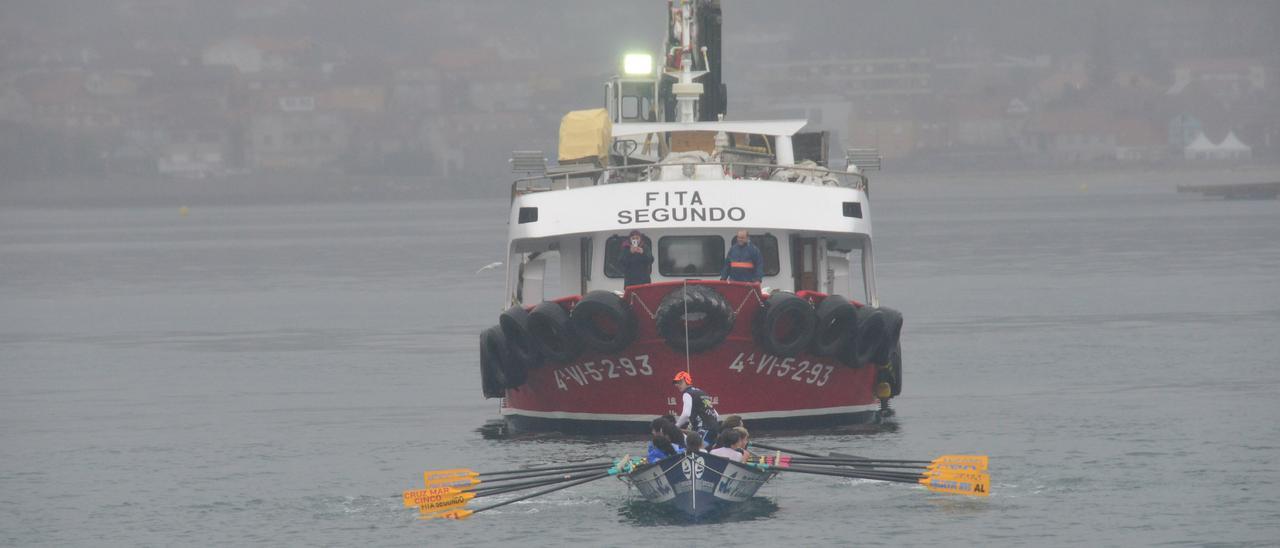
column 634, row 386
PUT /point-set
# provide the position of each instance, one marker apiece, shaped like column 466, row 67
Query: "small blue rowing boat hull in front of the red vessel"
column 698, row 483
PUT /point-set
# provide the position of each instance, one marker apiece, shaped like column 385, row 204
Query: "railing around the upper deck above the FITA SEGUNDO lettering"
column 565, row 177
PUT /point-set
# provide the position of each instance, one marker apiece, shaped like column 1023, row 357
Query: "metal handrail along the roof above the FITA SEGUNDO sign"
column 647, row 173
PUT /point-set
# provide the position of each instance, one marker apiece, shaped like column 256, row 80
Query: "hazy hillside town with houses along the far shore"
column 278, row 88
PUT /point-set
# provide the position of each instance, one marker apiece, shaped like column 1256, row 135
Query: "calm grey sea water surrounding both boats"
column 278, row 376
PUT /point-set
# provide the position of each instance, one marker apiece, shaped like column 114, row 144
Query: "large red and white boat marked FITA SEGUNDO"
column 661, row 172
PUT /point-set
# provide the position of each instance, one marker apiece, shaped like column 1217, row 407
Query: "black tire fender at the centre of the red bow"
column 715, row 326
